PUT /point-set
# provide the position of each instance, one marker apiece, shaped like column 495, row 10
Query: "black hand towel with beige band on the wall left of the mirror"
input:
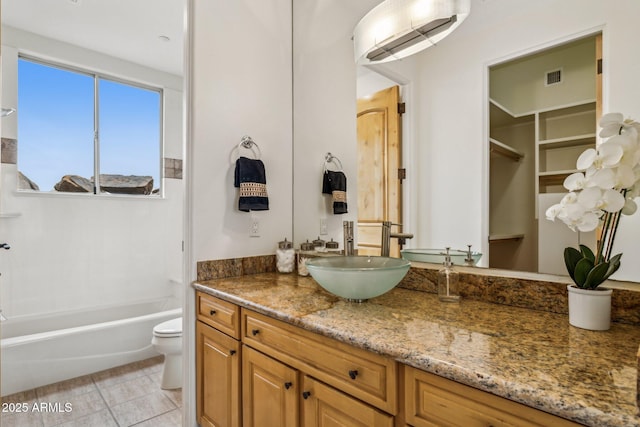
column 251, row 178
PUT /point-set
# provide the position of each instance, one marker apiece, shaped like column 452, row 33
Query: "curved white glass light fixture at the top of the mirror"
column 398, row 28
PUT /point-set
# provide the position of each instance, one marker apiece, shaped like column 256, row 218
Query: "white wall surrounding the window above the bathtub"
column 73, row 250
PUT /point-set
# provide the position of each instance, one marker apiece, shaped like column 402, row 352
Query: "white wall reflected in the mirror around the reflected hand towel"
column 324, row 110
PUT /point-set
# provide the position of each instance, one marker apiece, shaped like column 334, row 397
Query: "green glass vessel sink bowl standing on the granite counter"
column 358, row 278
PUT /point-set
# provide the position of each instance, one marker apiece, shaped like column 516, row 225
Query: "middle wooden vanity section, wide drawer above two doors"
column 310, row 380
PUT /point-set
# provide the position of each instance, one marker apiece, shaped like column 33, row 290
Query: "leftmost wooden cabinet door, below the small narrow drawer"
column 217, row 378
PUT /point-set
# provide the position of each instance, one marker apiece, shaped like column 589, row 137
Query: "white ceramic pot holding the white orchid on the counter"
column 590, row 308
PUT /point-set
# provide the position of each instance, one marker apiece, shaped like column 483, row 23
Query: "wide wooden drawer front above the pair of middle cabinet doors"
column 367, row 376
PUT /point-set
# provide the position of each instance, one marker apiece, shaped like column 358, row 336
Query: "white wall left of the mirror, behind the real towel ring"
column 241, row 85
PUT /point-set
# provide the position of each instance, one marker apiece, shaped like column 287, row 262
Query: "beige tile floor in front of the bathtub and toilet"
column 128, row 395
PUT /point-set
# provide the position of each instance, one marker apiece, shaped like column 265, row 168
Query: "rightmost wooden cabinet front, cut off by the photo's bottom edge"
column 432, row 401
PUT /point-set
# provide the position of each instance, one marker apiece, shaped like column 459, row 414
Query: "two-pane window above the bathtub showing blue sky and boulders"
column 74, row 126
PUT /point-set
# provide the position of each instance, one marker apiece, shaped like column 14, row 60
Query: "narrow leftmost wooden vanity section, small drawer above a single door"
column 218, row 363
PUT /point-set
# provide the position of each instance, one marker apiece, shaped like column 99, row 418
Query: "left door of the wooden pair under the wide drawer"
column 269, row 391
